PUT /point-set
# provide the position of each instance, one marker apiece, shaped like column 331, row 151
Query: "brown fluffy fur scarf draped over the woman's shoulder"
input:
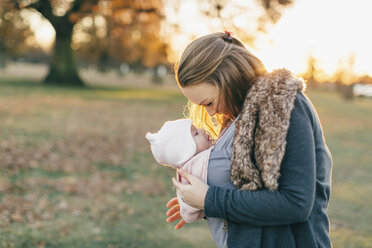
column 261, row 130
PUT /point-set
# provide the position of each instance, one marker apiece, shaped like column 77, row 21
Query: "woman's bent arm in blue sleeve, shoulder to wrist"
column 293, row 201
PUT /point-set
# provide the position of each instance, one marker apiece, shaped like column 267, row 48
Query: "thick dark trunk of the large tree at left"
column 63, row 67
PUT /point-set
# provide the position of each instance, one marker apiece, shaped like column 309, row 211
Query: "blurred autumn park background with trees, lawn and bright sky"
column 82, row 81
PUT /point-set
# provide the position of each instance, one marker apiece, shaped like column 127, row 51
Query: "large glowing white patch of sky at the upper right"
column 331, row 31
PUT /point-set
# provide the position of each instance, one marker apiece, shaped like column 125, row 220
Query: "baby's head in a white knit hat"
column 177, row 141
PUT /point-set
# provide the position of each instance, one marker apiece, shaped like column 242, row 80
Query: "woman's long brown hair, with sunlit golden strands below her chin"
column 222, row 62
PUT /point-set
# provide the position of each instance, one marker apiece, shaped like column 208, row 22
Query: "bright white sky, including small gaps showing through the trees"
column 333, row 32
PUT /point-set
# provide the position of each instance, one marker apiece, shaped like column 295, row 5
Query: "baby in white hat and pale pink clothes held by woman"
column 180, row 144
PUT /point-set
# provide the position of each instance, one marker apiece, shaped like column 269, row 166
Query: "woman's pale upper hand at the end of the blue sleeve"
column 193, row 193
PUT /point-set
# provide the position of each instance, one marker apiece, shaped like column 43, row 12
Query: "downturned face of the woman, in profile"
column 207, row 95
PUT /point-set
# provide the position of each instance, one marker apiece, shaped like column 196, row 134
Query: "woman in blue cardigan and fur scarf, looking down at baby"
column 273, row 189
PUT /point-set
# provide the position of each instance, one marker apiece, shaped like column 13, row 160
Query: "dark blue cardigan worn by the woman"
column 295, row 214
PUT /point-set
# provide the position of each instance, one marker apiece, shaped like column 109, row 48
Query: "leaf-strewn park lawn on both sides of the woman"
column 76, row 171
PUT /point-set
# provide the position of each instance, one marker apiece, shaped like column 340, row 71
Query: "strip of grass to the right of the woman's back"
column 348, row 130
